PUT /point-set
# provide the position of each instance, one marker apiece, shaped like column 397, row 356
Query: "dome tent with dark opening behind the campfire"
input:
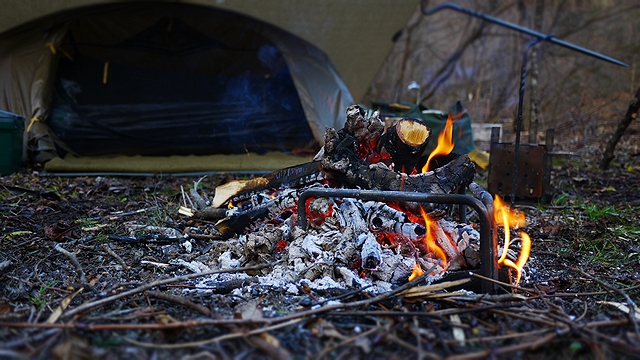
column 160, row 78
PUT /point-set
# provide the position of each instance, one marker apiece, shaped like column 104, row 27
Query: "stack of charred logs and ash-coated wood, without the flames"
column 363, row 154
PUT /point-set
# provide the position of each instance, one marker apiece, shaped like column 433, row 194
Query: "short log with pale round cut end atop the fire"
column 405, row 142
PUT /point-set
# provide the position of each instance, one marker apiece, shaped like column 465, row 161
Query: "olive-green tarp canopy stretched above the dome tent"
column 356, row 34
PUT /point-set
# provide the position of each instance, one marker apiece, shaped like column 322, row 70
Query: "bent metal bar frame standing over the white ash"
column 488, row 242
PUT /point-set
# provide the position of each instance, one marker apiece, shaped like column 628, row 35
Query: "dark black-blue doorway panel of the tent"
column 179, row 92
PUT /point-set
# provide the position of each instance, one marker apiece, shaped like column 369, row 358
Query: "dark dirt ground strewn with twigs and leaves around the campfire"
column 71, row 287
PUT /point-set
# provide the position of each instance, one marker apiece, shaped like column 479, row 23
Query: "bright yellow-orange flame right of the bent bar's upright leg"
column 509, row 218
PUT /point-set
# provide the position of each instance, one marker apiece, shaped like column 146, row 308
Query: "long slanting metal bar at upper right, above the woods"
column 540, row 36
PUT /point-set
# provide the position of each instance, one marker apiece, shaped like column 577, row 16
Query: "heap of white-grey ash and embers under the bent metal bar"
column 341, row 248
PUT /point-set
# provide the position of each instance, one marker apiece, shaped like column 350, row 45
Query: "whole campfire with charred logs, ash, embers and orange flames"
column 356, row 229
